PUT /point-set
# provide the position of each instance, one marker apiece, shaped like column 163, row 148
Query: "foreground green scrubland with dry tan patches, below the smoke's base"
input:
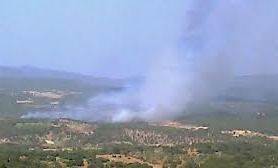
column 67, row 143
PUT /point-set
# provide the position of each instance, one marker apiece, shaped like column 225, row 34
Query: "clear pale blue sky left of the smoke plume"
column 96, row 37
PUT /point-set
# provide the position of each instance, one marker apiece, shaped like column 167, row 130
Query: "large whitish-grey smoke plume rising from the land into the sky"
column 221, row 39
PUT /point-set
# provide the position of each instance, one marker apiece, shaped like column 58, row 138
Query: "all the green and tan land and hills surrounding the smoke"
column 250, row 104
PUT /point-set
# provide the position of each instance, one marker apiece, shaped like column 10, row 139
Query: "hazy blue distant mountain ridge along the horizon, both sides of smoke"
column 259, row 87
